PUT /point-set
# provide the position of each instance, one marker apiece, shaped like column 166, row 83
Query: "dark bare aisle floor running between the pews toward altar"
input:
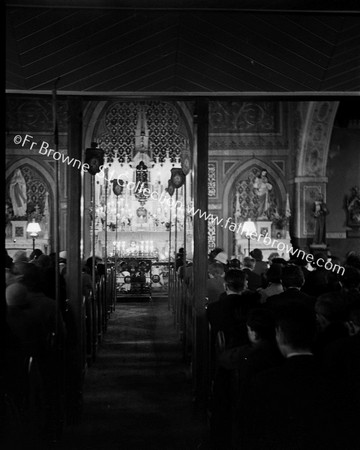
column 138, row 393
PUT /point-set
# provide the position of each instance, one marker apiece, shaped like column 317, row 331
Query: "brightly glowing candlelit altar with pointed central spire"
column 138, row 225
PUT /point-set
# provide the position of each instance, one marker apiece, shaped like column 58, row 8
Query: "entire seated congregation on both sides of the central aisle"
column 284, row 345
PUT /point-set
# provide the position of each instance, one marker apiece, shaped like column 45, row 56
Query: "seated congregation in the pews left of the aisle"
column 36, row 332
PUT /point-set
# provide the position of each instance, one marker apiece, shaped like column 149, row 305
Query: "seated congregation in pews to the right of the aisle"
column 285, row 350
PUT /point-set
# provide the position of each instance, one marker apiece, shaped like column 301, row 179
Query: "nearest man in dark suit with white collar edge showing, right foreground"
column 294, row 406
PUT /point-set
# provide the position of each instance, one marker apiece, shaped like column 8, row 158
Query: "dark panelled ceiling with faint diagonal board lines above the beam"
column 190, row 47
